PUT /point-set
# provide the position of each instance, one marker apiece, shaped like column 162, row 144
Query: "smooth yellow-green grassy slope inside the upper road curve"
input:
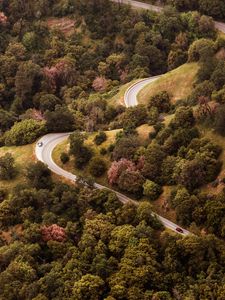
column 178, row 83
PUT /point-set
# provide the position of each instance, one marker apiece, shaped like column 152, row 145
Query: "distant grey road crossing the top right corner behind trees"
column 136, row 4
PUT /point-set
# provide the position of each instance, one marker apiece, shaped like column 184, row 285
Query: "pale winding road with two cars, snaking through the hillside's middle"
column 50, row 141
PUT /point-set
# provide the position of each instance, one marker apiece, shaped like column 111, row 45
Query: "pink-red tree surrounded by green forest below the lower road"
column 53, row 233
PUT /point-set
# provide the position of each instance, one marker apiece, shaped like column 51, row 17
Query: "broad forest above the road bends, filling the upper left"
column 47, row 77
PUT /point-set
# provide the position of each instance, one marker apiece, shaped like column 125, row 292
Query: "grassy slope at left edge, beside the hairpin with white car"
column 23, row 155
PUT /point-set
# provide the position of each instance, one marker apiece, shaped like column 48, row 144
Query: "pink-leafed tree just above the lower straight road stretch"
column 117, row 167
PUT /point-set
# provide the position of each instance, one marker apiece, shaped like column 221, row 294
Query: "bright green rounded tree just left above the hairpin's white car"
column 24, row 132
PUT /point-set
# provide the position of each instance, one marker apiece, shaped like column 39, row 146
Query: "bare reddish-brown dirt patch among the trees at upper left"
column 65, row 25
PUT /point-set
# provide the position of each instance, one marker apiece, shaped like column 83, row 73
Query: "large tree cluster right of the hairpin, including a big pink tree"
column 182, row 157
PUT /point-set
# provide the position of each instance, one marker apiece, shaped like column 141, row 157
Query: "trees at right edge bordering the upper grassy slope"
column 209, row 90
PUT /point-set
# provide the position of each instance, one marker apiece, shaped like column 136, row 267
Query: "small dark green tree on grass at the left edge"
column 7, row 167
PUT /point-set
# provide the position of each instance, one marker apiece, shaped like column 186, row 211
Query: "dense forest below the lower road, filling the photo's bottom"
column 80, row 243
